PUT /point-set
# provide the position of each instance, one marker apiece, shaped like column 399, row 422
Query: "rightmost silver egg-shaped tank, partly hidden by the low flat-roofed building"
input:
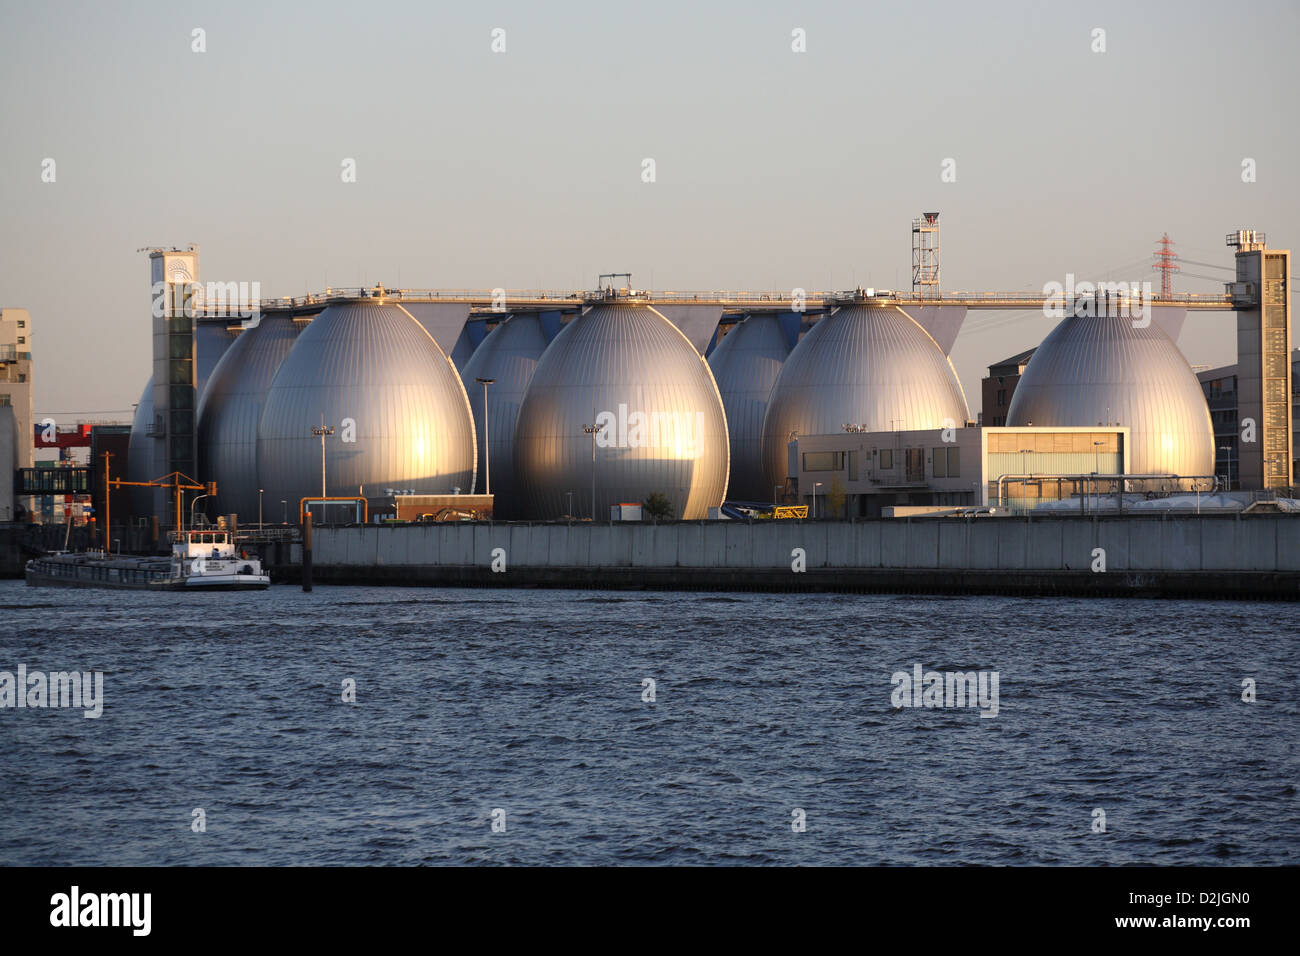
column 1099, row 370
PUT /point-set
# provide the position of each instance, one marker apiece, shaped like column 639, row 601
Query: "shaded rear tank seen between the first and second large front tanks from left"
column 509, row 356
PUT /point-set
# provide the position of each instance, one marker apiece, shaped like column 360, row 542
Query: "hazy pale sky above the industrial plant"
column 521, row 170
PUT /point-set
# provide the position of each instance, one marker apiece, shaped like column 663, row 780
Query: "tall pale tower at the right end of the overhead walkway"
column 1262, row 296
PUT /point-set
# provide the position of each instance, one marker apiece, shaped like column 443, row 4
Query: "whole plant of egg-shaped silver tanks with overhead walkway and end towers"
column 571, row 404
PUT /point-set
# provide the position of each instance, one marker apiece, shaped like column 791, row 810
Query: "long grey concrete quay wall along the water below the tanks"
column 1221, row 556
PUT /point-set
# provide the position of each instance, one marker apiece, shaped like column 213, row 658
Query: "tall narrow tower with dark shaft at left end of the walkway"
column 175, row 276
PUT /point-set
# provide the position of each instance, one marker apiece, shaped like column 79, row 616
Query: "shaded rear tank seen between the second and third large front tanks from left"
column 747, row 365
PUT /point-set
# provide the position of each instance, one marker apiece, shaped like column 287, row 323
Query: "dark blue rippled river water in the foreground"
column 531, row 702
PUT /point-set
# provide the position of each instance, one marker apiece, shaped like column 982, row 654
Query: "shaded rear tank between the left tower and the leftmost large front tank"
column 231, row 410
